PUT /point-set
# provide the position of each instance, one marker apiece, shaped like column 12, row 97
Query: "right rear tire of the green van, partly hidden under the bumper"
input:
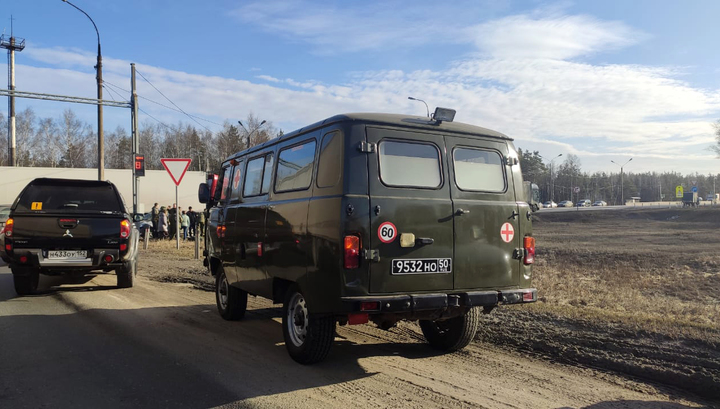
column 452, row 334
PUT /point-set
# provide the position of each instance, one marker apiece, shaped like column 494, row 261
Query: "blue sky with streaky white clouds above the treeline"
column 604, row 80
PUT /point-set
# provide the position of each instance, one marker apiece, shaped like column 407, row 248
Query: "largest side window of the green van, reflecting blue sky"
column 295, row 166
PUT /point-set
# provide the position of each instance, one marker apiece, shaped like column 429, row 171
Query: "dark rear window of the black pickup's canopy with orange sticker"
column 70, row 199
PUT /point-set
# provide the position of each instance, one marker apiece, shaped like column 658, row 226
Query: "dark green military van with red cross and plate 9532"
column 372, row 217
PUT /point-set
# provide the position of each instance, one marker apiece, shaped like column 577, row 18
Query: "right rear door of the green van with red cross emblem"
column 487, row 220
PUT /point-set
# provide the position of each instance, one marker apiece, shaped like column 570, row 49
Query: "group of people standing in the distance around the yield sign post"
column 192, row 223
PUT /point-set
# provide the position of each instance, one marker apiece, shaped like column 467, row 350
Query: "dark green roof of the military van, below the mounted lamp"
column 406, row 121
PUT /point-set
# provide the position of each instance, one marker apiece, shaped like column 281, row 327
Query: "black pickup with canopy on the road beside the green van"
column 69, row 226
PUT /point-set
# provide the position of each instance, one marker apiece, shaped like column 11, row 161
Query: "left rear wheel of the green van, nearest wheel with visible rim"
column 308, row 337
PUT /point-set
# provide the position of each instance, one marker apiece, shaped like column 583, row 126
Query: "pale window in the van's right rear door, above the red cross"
column 478, row 170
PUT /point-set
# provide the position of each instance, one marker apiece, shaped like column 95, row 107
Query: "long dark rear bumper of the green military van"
column 437, row 301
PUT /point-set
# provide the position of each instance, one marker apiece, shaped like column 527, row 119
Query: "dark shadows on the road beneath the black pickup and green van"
column 178, row 357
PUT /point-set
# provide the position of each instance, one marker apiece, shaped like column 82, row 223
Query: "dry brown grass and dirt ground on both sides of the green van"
column 631, row 294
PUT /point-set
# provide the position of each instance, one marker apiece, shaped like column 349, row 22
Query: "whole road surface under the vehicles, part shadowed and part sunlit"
column 157, row 345
